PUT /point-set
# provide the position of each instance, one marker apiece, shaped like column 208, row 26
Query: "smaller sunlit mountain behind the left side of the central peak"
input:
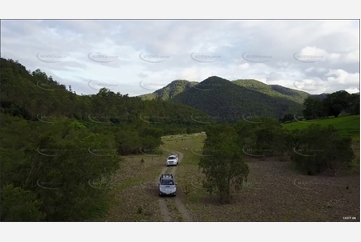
column 169, row 91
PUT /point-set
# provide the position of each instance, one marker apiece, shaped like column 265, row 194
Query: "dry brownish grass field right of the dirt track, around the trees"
column 275, row 192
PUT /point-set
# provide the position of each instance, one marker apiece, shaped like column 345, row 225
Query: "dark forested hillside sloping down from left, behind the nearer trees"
column 31, row 95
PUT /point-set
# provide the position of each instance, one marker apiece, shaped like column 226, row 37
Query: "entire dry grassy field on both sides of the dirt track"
column 275, row 191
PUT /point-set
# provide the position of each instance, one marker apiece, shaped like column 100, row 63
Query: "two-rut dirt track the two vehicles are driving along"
column 167, row 215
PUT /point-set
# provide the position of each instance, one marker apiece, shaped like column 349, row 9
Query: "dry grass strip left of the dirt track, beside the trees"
column 134, row 194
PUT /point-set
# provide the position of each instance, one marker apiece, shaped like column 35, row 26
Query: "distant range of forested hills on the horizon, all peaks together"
column 235, row 99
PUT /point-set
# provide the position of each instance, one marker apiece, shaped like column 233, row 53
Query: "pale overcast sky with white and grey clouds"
column 140, row 56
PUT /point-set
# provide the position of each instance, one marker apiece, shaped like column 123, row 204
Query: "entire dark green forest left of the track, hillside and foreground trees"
column 59, row 149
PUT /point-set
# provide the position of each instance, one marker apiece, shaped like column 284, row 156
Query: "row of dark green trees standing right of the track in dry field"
column 227, row 147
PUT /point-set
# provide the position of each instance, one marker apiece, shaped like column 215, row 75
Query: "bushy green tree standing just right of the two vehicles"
column 222, row 163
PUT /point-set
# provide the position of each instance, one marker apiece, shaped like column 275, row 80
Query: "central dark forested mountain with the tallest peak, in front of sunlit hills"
column 228, row 101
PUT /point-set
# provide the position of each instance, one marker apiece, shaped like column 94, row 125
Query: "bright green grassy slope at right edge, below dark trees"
column 346, row 125
